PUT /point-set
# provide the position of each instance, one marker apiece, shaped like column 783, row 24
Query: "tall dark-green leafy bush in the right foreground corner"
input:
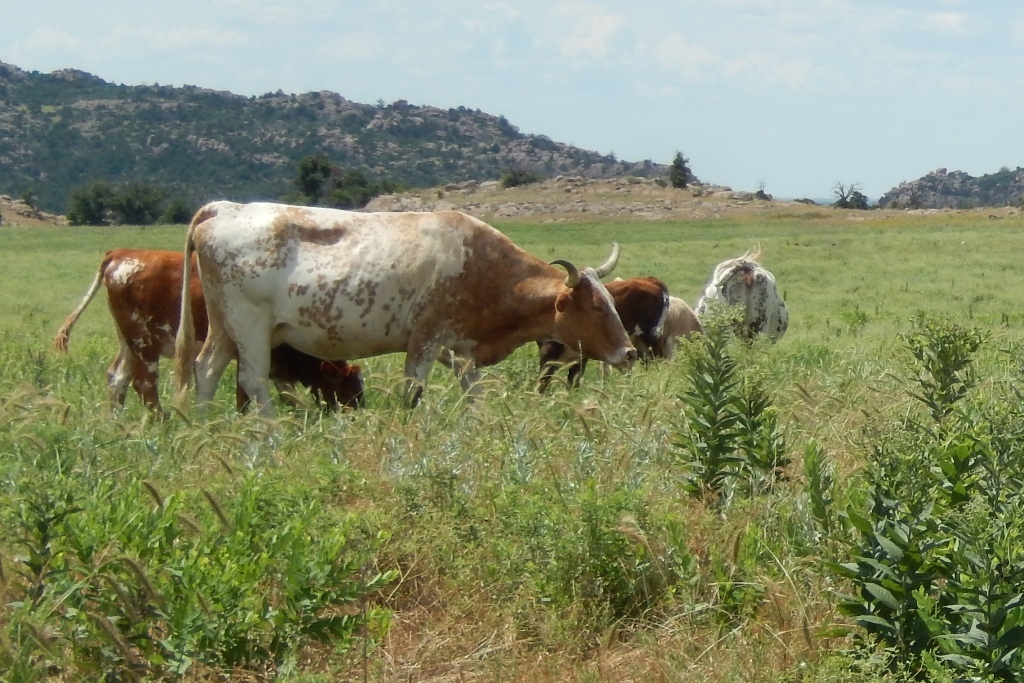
column 938, row 551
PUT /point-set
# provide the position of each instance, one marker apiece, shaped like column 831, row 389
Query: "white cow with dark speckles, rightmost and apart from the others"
column 745, row 283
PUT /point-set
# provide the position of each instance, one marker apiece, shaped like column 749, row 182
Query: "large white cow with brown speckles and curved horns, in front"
column 353, row 285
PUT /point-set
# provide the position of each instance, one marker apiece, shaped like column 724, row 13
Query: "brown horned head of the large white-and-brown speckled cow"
column 586, row 319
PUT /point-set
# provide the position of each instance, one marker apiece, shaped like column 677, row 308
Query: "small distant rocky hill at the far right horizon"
column 957, row 190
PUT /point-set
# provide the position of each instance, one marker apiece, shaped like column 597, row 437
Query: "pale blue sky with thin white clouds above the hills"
column 789, row 96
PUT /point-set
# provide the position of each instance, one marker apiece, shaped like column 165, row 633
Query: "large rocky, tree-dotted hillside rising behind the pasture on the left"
column 62, row 131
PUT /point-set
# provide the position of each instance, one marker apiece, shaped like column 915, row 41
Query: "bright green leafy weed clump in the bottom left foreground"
column 132, row 583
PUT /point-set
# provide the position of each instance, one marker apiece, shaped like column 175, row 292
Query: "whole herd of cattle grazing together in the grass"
column 294, row 293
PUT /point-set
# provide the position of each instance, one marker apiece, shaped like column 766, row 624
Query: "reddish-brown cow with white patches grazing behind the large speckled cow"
column 144, row 289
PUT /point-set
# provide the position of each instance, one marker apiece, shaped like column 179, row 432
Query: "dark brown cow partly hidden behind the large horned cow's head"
column 643, row 305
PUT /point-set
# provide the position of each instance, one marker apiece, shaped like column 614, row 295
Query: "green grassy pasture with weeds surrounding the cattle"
column 575, row 536
